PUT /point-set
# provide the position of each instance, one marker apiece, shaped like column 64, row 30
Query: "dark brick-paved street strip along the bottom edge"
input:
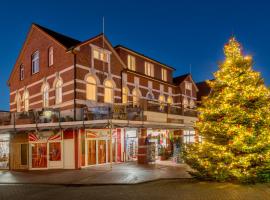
column 172, row 189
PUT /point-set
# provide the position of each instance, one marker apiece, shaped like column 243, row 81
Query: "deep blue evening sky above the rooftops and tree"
column 178, row 33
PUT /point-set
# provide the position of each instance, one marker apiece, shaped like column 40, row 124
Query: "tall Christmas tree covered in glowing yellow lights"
column 234, row 122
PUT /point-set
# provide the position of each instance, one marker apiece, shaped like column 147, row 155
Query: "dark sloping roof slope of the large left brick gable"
column 66, row 41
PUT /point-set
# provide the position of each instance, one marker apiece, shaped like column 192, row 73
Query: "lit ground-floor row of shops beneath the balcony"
column 80, row 148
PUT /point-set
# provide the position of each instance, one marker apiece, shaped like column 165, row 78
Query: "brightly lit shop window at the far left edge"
column 4, row 150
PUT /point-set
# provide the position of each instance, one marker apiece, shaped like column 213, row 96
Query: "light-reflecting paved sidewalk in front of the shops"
column 124, row 173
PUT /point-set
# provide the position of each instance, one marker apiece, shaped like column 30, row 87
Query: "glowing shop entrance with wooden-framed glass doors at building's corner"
column 101, row 146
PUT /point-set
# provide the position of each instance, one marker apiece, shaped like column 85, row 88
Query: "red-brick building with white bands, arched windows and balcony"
column 76, row 104
